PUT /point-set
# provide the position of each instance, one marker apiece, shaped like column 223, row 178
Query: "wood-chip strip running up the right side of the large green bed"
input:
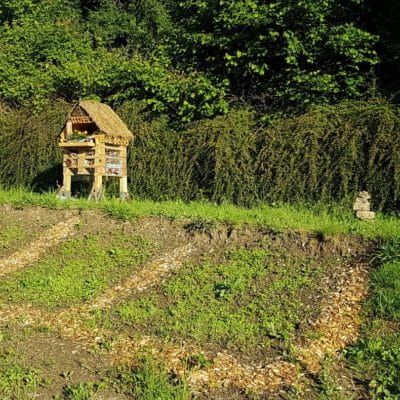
column 339, row 322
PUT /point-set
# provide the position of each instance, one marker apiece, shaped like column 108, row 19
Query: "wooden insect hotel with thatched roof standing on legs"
column 94, row 141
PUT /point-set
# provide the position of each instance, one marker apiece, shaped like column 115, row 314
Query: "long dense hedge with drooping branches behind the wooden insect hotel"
column 326, row 155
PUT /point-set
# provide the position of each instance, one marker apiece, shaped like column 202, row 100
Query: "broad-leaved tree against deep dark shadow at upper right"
column 279, row 52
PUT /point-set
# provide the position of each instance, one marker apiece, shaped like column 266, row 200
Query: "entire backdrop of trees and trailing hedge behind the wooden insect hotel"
column 241, row 101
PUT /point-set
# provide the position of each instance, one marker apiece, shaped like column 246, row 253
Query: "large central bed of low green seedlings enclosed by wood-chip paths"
column 249, row 301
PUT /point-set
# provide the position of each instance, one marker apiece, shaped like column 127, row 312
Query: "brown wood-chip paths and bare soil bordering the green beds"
column 335, row 327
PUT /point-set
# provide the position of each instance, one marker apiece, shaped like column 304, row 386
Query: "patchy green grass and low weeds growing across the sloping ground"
column 247, row 301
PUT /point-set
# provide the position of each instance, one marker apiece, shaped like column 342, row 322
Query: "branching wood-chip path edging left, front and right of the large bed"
column 336, row 327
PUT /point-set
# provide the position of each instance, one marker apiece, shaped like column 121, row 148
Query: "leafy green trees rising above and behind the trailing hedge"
column 196, row 58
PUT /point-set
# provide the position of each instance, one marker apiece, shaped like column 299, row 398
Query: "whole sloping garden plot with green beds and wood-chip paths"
column 98, row 307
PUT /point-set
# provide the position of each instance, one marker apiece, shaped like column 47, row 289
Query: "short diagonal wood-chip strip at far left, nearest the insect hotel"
column 31, row 253
